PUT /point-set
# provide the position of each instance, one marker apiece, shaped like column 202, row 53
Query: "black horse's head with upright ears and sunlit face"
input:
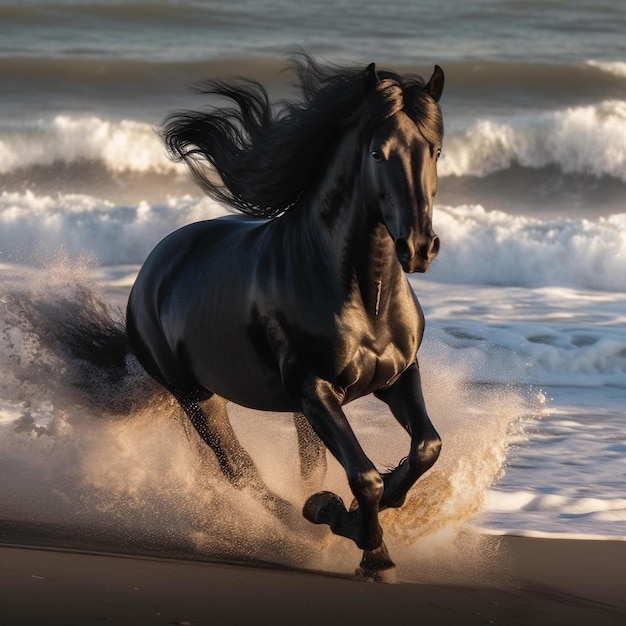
column 399, row 168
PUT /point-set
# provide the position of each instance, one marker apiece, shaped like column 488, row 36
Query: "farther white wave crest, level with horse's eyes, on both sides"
column 586, row 139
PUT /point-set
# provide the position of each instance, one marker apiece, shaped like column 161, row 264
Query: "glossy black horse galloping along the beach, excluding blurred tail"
column 302, row 304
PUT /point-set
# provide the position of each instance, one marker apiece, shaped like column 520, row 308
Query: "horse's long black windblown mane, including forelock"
column 266, row 156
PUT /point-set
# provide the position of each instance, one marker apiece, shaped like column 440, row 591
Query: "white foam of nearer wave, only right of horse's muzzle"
column 492, row 247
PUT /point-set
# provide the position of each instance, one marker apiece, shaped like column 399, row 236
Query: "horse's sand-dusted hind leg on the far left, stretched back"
column 210, row 419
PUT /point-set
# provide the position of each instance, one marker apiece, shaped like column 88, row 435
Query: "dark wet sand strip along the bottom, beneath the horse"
column 542, row 581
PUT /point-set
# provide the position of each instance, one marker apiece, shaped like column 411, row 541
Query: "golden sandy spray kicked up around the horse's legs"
column 115, row 456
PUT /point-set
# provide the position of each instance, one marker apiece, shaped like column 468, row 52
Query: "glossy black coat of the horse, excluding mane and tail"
column 306, row 312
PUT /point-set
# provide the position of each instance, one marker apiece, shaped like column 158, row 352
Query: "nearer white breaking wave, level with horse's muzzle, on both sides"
column 479, row 246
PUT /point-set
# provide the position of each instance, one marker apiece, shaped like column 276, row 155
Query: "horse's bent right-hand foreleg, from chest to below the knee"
column 406, row 401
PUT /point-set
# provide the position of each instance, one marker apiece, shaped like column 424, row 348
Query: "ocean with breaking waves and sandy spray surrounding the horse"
column 524, row 357
